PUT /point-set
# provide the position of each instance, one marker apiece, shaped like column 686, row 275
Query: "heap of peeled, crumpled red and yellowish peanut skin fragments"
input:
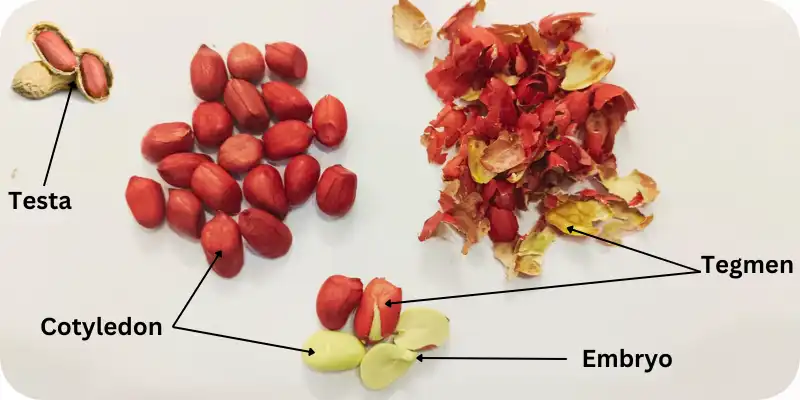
column 528, row 118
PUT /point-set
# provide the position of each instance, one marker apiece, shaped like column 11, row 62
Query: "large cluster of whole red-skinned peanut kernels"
column 201, row 183
